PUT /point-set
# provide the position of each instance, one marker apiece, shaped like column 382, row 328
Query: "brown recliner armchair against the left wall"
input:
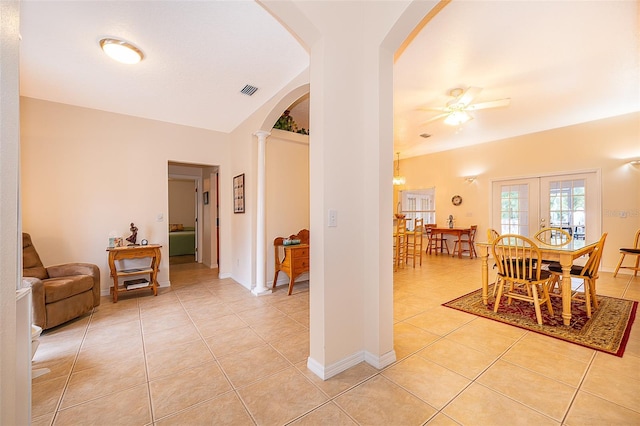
column 62, row 292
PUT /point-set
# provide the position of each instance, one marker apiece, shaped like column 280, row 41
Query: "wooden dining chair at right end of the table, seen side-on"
column 588, row 273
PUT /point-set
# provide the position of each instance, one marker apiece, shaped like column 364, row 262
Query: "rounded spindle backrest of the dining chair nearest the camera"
column 518, row 258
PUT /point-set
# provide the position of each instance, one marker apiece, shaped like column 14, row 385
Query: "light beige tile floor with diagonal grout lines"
column 207, row 351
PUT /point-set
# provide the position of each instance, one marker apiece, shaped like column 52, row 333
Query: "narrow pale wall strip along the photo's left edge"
column 14, row 409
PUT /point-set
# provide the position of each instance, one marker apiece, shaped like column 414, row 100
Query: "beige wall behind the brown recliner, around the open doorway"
column 87, row 173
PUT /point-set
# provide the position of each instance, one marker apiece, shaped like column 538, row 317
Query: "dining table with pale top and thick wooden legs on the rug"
column 565, row 255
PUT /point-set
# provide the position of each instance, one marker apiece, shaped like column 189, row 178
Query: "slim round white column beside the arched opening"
column 261, row 257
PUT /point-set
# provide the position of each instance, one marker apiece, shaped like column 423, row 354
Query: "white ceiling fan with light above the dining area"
column 456, row 111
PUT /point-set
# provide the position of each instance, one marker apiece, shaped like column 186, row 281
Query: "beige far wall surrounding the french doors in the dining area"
column 604, row 145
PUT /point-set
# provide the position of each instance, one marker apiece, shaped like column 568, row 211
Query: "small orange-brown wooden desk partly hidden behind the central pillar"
column 296, row 257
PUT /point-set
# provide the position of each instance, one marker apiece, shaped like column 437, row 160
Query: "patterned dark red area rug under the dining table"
column 607, row 330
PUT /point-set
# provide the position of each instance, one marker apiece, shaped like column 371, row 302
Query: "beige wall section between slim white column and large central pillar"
column 287, row 186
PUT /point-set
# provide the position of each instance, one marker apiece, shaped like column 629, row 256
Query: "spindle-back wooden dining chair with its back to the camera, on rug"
column 518, row 259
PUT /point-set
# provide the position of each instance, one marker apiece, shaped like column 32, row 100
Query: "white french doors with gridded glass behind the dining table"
column 571, row 201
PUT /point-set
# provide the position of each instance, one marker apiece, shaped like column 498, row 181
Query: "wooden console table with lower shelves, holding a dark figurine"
column 151, row 251
